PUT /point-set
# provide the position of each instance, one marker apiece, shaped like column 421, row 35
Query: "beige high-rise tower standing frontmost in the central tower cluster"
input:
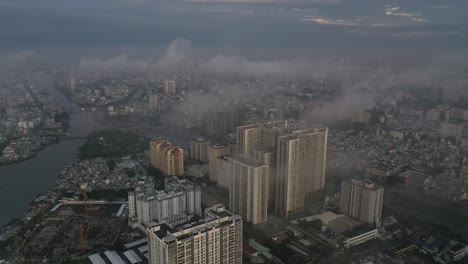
column 248, row 191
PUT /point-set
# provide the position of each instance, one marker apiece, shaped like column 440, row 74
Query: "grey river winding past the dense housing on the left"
column 21, row 182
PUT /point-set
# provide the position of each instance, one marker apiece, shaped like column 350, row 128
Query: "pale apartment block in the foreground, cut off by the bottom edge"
column 215, row 240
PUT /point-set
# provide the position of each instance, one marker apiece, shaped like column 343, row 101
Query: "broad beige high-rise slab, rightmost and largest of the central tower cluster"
column 301, row 164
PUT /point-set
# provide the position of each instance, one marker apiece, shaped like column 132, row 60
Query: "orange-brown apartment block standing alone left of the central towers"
column 167, row 157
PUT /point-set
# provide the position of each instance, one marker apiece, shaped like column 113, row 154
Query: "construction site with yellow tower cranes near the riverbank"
column 71, row 229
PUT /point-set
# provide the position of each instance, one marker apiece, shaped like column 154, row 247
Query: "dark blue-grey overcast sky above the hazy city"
column 289, row 26
